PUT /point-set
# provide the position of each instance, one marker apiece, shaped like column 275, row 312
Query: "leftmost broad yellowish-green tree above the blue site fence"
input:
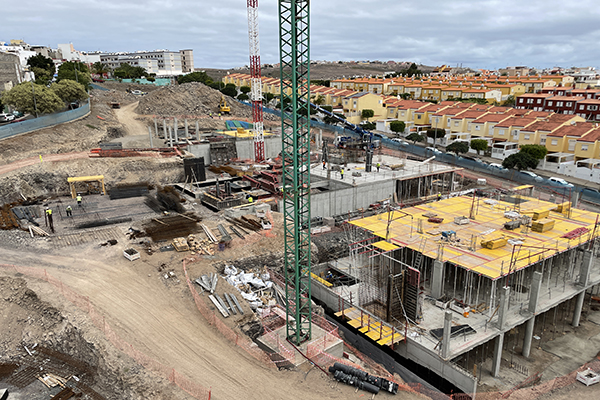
column 21, row 97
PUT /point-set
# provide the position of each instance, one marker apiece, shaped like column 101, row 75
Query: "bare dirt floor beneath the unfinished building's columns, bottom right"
column 560, row 355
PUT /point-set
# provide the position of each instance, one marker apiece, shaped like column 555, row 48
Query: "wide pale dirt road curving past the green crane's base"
column 163, row 323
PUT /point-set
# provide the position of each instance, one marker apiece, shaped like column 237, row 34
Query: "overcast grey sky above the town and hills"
column 474, row 33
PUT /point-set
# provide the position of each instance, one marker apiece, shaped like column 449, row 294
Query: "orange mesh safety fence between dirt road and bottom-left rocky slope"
column 83, row 303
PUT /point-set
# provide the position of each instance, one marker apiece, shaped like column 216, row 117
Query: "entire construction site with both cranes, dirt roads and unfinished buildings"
column 185, row 245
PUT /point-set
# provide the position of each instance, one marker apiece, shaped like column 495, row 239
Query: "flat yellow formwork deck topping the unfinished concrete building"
column 489, row 220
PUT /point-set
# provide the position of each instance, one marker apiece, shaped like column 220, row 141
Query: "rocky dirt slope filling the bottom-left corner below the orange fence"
column 64, row 344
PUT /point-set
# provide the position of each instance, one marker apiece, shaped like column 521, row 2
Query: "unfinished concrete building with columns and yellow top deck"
column 444, row 283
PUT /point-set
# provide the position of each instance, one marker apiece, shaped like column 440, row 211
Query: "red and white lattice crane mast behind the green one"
column 256, row 82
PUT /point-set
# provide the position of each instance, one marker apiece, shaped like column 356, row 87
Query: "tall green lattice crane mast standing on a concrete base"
column 294, row 50
